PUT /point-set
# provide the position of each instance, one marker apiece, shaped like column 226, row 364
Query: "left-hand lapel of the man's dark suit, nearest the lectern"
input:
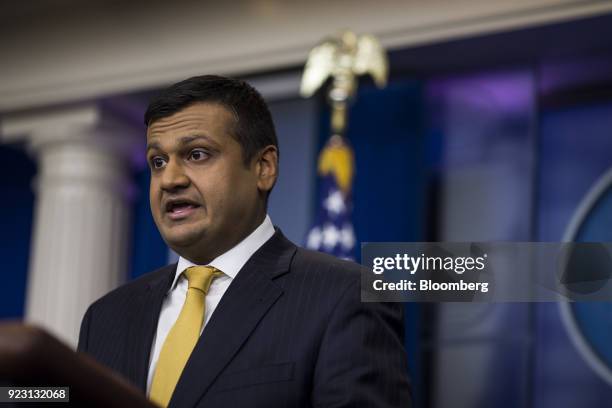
column 144, row 324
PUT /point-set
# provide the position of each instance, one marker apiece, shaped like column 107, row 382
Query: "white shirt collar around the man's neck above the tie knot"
column 233, row 260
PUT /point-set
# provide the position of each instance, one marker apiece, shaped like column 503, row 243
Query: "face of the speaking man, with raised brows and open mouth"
column 204, row 199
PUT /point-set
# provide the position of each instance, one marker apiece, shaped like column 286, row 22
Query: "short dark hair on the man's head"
column 253, row 127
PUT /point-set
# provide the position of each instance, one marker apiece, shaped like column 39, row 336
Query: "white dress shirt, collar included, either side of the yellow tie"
column 229, row 263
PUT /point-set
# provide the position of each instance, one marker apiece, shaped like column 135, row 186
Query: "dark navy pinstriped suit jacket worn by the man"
column 290, row 331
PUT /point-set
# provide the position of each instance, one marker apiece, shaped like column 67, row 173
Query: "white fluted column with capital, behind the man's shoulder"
column 82, row 216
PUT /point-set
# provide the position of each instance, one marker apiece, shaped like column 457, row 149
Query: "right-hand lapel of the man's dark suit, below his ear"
column 243, row 305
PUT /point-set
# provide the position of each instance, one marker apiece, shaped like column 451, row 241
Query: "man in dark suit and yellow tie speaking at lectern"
column 245, row 318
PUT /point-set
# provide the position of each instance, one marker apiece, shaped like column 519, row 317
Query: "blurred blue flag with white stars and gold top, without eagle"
column 332, row 231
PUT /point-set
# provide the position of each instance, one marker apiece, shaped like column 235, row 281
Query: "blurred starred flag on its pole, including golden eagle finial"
column 343, row 58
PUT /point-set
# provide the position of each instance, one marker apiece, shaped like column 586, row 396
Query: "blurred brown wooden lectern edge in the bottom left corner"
column 29, row 356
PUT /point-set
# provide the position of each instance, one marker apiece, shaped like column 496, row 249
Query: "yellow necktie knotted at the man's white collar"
column 183, row 336
